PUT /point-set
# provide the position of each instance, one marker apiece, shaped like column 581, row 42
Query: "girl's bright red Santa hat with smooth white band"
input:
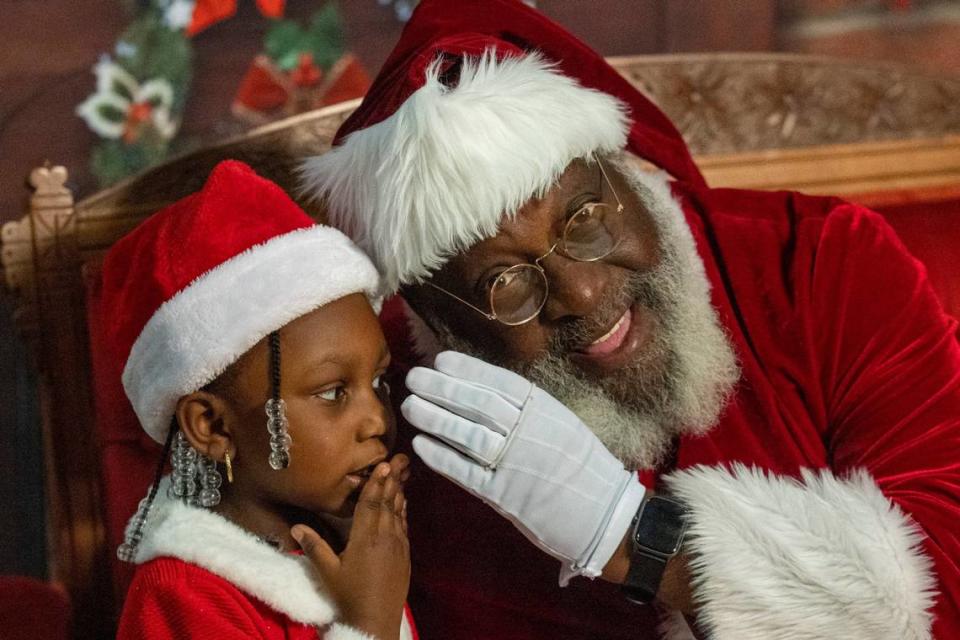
column 199, row 283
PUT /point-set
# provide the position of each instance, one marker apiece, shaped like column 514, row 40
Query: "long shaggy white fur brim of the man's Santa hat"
column 437, row 176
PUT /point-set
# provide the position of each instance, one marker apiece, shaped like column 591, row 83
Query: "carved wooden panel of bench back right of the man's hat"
column 734, row 103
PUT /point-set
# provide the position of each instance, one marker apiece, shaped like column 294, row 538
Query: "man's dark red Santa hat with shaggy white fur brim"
column 481, row 106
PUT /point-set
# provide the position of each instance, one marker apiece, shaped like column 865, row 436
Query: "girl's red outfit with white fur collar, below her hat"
column 201, row 576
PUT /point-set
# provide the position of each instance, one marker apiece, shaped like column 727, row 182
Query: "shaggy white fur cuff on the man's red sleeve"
column 784, row 559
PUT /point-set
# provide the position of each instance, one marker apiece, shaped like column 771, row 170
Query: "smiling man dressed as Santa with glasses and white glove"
column 740, row 409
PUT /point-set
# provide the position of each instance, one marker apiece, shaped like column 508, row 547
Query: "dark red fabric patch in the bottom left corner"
column 33, row 610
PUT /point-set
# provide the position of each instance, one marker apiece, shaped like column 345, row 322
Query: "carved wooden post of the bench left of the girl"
column 41, row 260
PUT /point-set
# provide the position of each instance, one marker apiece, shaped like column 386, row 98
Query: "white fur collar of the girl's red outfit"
column 285, row 582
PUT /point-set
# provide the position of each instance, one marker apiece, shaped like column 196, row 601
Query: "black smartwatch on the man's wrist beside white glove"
column 656, row 535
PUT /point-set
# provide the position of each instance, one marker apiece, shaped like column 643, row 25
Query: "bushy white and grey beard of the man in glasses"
column 638, row 412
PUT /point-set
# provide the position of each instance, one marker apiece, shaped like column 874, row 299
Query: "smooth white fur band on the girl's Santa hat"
column 195, row 335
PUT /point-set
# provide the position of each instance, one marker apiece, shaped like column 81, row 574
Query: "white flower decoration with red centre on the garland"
column 121, row 106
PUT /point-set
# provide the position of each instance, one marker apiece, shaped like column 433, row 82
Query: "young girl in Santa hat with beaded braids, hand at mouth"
column 252, row 351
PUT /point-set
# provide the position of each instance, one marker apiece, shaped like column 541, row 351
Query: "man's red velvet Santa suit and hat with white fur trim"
column 825, row 502
